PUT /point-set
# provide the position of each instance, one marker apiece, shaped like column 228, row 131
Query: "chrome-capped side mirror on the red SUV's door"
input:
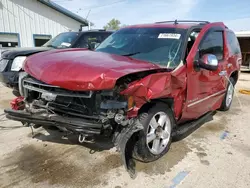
column 208, row 62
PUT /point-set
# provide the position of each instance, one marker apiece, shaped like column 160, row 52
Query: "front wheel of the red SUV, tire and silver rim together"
column 144, row 149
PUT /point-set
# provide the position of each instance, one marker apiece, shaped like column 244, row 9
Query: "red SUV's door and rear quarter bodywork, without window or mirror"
column 205, row 83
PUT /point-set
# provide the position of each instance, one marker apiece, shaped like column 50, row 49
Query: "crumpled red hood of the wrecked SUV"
column 81, row 69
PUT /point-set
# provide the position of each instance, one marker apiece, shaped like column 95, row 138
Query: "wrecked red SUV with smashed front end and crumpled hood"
column 139, row 86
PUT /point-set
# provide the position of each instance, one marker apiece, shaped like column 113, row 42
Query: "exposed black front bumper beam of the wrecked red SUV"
column 78, row 125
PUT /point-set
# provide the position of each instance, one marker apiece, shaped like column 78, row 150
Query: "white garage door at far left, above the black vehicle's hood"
column 9, row 40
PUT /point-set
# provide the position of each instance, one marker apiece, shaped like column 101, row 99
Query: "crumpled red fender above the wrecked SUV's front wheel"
column 158, row 86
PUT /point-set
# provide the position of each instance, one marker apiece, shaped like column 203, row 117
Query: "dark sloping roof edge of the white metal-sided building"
column 64, row 11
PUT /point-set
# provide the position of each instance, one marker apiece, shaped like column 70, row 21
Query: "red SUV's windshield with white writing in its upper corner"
column 162, row 46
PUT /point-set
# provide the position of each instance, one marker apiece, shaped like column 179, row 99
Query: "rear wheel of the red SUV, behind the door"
column 227, row 101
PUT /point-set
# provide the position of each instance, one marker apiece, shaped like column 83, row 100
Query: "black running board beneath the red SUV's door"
column 182, row 131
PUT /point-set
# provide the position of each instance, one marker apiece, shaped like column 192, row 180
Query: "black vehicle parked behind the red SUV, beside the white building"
column 11, row 60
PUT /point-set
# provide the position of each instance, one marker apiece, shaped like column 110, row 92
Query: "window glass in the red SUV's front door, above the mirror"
column 212, row 44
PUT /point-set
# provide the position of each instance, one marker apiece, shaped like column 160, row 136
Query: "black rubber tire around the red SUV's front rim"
column 141, row 150
